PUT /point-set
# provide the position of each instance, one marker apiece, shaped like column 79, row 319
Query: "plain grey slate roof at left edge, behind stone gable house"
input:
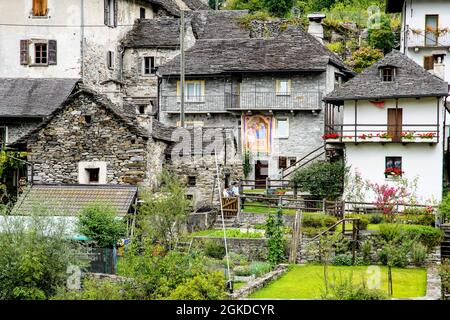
column 21, row 97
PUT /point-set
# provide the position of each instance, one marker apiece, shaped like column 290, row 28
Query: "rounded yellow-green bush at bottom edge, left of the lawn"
column 201, row 287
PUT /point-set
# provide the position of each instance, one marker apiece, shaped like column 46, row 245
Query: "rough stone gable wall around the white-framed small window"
column 68, row 139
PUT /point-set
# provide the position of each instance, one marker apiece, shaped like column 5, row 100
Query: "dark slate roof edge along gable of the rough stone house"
column 128, row 119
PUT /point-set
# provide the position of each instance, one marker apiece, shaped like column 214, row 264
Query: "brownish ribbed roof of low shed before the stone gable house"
column 70, row 200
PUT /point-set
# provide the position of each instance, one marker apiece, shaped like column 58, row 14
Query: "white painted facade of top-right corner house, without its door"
column 413, row 37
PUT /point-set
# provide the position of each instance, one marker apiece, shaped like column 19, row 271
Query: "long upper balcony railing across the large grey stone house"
column 310, row 100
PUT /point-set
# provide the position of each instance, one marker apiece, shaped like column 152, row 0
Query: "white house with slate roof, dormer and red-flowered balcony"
column 389, row 119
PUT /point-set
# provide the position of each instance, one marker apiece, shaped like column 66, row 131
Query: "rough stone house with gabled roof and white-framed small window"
column 89, row 140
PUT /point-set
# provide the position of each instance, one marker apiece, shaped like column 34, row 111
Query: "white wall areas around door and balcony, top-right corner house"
column 414, row 16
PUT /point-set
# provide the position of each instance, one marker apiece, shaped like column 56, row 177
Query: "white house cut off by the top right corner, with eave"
column 425, row 35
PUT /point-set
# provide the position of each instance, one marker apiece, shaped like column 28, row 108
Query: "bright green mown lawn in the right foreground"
column 306, row 282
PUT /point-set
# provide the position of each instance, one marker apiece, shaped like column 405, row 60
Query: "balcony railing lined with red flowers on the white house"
column 381, row 133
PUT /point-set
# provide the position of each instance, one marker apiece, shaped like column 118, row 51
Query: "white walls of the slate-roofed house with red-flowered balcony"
column 420, row 159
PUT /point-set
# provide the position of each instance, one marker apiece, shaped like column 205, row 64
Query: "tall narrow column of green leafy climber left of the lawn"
column 276, row 241
